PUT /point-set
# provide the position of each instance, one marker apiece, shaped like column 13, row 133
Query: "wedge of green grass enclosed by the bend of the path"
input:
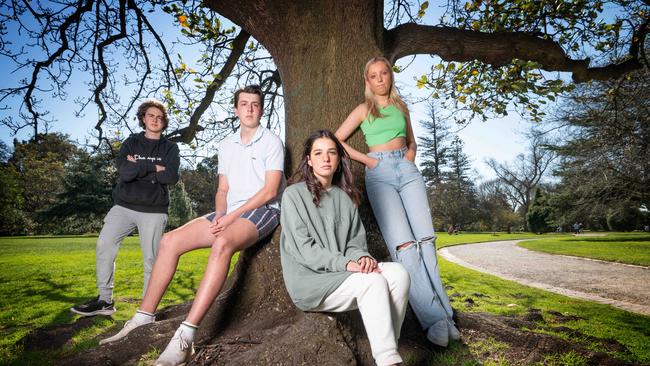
column 631, row 248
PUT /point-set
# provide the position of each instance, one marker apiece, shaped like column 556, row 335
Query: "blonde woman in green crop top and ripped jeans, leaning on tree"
column 398, row 196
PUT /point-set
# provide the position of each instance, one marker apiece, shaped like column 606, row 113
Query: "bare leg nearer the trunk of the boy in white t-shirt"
column 239, row 235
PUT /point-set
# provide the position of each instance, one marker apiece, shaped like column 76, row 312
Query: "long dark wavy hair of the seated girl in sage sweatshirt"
column 342, row 176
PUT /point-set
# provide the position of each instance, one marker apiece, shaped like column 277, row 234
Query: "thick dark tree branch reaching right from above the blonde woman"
column 498, row 49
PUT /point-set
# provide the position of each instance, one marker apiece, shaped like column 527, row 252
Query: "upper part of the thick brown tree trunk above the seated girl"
column 320, row 49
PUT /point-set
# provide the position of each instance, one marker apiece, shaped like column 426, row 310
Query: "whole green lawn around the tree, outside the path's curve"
column 42, row 277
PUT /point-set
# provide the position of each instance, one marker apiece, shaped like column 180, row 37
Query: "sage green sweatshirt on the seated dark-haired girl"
column 317, row 242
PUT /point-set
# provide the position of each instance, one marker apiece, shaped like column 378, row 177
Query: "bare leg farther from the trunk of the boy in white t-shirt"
column 193, row 235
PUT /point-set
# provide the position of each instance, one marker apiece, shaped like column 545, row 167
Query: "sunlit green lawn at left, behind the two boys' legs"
column 42, row 277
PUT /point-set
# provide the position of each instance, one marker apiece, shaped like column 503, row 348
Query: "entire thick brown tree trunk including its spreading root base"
column 254, row 321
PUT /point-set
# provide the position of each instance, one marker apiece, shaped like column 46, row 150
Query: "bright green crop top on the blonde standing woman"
column 384, row 129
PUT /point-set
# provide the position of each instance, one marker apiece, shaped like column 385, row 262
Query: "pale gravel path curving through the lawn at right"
column 623, row 286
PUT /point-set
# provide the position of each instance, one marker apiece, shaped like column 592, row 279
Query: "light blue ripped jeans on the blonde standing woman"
column 399, row 201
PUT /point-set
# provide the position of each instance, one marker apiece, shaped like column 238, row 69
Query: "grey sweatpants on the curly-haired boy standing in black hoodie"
column 118, row 223
